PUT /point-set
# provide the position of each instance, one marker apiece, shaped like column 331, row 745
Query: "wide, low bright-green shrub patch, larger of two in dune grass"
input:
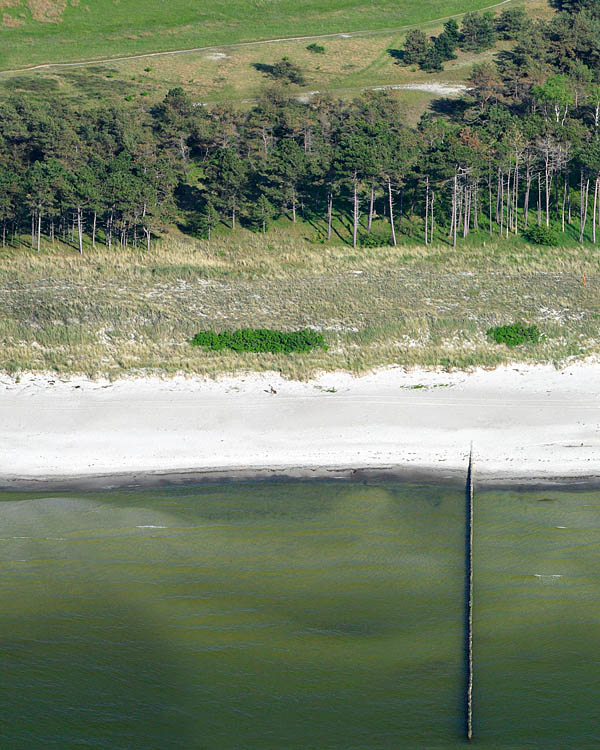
column 260, row 340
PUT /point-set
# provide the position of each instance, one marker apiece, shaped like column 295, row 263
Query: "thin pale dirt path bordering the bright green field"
column 84, row 63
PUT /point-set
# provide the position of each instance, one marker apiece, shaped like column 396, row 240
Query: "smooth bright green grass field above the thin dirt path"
column 45, row 31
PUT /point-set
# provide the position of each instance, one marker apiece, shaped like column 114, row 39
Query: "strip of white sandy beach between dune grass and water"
column 523, row 421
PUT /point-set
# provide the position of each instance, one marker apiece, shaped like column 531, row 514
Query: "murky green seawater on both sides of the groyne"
column 297, row 616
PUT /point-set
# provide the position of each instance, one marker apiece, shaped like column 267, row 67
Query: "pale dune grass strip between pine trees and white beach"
column 130, row 312
